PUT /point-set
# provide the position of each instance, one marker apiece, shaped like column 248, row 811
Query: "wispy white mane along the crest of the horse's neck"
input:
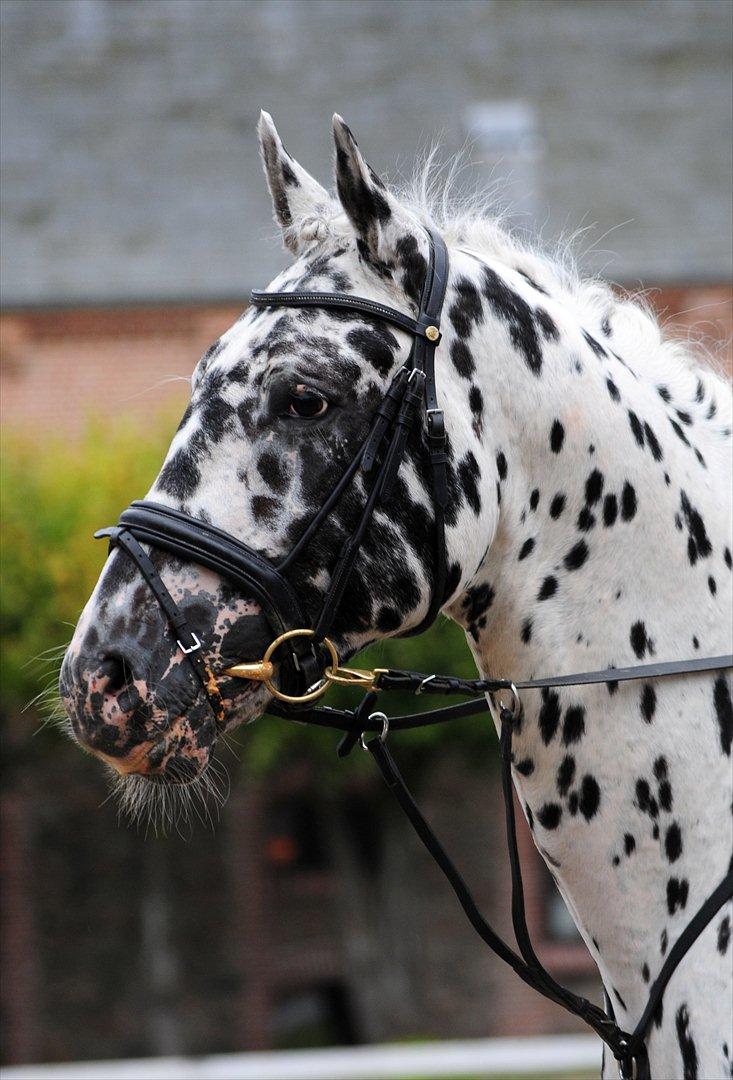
column 666, row 355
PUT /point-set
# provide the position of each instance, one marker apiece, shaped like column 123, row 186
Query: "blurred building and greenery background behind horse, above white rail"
column 135, row 221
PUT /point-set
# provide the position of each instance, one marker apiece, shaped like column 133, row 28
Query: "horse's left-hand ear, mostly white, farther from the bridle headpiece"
column 296, row 195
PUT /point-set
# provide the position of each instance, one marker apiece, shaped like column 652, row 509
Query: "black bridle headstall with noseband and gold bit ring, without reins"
column 308, row 660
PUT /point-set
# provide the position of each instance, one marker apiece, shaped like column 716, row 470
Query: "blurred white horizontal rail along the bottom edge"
column 556, row 1056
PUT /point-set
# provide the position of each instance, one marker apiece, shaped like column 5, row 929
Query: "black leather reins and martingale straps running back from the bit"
column 628, row 1048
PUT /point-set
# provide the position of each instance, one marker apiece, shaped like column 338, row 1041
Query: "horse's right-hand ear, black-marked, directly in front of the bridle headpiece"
column 390, row 238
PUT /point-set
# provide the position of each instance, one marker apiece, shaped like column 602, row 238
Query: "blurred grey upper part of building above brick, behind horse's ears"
column 130, row 160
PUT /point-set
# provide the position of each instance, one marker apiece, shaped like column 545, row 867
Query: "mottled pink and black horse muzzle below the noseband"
column 130, row 692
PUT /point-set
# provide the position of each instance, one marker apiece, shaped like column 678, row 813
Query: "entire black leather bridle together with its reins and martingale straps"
column 309, row 664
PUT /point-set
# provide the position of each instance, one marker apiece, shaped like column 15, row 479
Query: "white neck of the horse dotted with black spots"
column 592, row 566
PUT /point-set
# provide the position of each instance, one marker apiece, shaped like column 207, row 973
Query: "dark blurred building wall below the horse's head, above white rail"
column 307, row 917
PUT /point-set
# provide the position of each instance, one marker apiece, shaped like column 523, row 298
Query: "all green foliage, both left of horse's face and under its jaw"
column 57, row 493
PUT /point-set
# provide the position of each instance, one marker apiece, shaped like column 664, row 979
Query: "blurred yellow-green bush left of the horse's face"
column 55, row 494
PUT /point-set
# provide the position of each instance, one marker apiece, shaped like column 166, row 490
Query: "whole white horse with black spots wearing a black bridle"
column 423, row 415
